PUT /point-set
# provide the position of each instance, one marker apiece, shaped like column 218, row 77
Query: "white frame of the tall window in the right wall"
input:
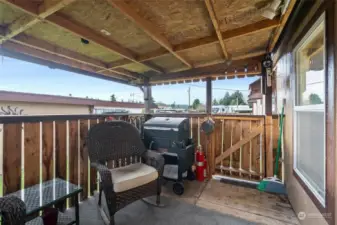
column 309, row 108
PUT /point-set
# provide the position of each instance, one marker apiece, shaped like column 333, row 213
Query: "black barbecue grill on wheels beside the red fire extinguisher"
column 171, row 137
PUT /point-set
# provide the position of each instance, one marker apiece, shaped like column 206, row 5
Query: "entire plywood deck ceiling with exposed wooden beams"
column 161, row 36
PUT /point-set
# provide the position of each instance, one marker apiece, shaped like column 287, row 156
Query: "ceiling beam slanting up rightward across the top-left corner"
column 23, row 23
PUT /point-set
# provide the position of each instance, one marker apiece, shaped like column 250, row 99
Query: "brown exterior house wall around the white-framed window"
column 299, row 197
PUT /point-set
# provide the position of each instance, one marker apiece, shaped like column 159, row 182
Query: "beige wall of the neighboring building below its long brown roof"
column 25, row 108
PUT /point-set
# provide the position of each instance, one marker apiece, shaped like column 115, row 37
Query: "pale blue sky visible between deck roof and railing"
column 21, row 76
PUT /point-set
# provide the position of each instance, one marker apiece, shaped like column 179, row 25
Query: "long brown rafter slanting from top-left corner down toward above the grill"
column 81, row 31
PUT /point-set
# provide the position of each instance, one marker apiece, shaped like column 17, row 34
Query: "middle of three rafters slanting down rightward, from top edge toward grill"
column 147, row 27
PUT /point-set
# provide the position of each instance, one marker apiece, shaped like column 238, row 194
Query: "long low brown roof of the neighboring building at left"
column 10, row 96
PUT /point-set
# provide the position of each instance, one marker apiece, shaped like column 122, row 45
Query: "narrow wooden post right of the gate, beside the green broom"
column 269, row 158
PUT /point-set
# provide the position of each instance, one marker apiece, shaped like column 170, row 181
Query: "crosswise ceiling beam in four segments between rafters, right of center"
column 238, row 32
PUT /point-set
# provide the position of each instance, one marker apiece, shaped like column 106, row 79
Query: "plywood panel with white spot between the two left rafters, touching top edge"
column 108, row 21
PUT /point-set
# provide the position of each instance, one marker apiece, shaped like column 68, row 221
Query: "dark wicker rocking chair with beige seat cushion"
column 135, row 173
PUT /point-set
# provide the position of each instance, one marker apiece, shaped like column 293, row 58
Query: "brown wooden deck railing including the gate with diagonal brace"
column 38, row 148
